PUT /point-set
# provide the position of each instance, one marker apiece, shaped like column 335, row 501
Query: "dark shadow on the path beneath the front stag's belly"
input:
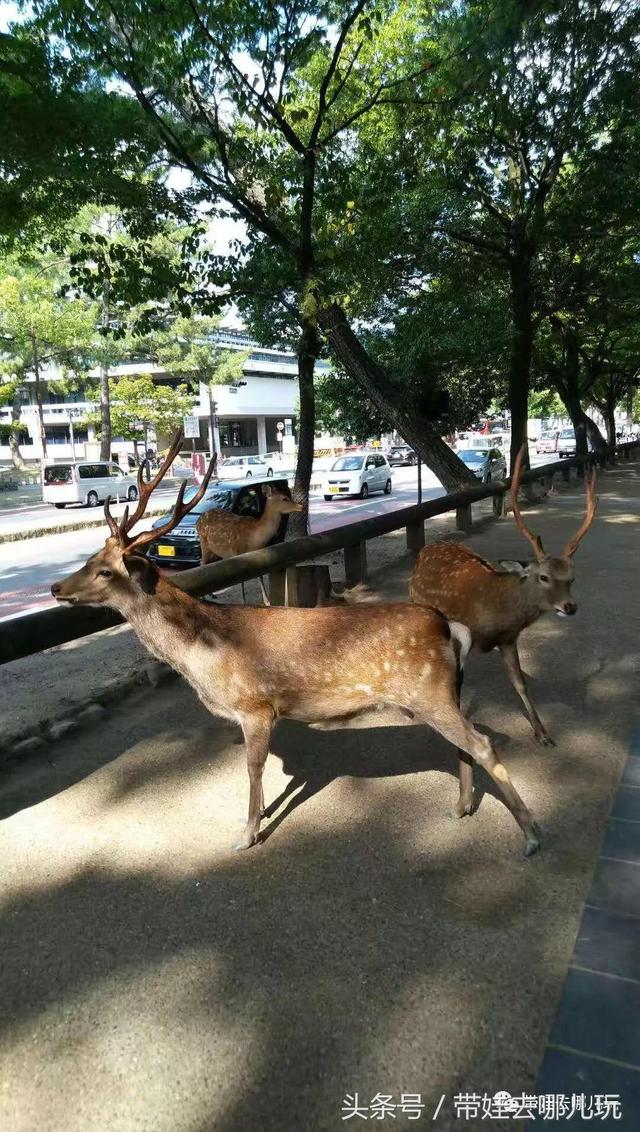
column 315, row 759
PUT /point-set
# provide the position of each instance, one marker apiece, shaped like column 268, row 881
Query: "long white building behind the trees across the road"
column 246, row 419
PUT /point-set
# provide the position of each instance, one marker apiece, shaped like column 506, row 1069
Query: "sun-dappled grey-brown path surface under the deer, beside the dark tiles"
column 152, row 979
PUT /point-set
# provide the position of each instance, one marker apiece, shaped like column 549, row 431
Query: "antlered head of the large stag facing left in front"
column 117, row 574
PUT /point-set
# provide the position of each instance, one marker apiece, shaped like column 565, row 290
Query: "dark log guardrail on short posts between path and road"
column 36, row 632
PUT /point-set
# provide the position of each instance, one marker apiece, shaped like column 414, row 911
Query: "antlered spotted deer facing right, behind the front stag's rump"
column 497, row 602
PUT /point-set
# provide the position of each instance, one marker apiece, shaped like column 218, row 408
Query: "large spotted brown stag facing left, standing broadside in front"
column 257, row 665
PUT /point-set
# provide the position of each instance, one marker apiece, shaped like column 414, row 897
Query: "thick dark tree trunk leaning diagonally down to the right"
column 378, row 385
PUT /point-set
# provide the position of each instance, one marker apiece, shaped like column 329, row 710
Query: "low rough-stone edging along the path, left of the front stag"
column 38, row 739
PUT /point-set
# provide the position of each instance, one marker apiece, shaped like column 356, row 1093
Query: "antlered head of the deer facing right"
column 551, row 578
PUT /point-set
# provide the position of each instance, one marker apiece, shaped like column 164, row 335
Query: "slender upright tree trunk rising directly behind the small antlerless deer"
column 309, row 350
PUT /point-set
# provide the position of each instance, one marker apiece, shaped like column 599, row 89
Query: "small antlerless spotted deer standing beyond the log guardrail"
column 224, row 535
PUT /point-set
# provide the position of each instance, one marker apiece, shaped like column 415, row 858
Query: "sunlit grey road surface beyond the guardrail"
column 29, row 568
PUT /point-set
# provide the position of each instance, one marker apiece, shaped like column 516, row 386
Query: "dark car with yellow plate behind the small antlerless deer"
column 182, row 547
